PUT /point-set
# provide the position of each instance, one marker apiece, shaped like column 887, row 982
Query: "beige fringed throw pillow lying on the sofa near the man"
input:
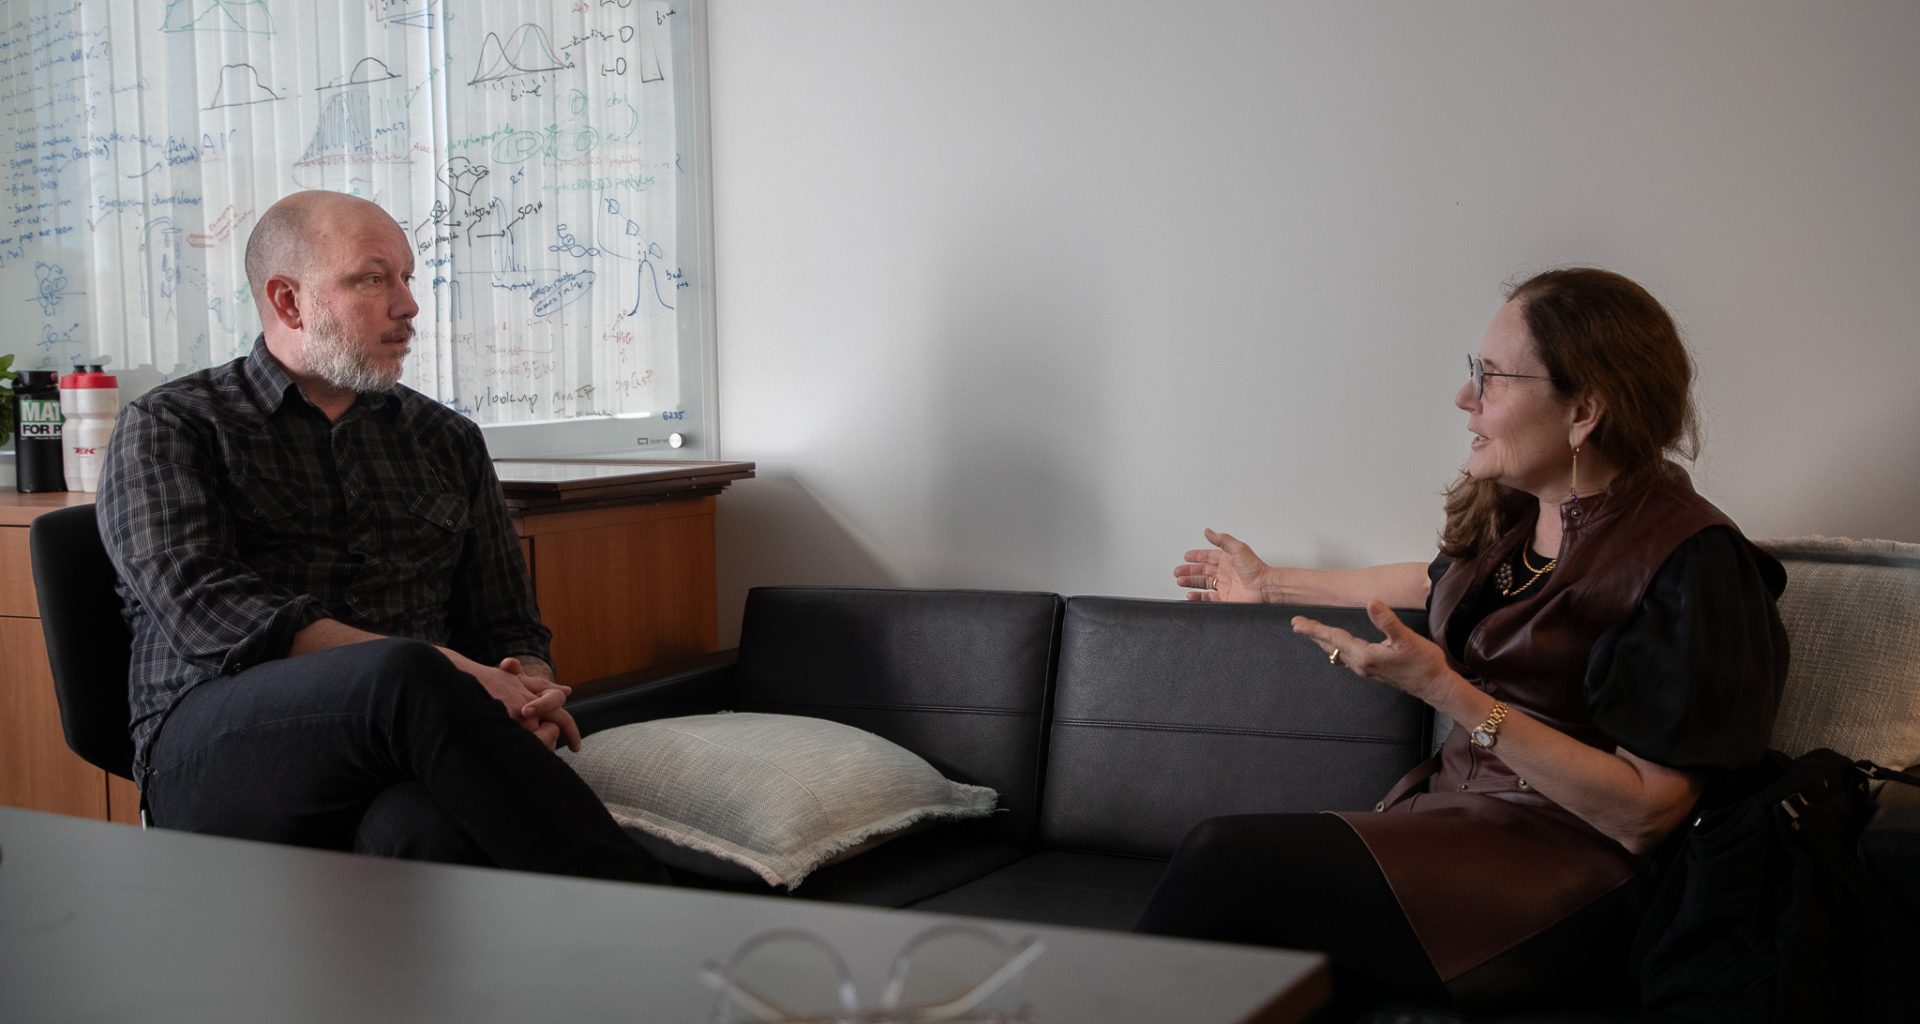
column 765, row 796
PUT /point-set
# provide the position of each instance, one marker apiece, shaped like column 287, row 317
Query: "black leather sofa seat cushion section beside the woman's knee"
column 1084, row 890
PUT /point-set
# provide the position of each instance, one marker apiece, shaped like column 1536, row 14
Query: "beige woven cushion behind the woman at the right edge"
column 1854, row 622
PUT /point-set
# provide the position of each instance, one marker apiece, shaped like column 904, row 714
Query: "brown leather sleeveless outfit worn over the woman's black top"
column 1483, row 862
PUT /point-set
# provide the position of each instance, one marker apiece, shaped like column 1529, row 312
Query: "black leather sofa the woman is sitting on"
column 1109, row 727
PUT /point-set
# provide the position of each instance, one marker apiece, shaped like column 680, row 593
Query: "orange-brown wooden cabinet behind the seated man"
column 623, row 585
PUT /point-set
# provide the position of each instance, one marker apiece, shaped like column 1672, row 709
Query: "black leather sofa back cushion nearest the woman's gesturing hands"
column 1168, row 714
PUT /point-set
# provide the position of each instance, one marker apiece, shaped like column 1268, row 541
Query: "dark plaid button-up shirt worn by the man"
column 237, row 516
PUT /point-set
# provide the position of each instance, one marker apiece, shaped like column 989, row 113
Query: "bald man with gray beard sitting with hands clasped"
column 335, row 637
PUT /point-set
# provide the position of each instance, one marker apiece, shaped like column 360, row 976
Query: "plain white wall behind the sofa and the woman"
column 1024, row 295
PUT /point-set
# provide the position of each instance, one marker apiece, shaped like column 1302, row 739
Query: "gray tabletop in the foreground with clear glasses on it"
column 112, row 923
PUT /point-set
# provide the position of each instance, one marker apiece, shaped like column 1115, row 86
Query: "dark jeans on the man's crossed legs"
column 379, row 748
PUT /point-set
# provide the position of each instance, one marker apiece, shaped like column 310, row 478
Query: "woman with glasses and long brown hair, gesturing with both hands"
column 1602, row 637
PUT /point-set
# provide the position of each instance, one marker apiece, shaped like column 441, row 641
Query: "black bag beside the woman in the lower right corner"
column 1765, row 914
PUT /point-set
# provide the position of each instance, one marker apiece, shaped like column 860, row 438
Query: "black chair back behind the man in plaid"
column 87, row 641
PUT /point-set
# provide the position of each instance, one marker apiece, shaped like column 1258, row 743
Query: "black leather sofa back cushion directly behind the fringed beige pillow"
column 959, row 677
